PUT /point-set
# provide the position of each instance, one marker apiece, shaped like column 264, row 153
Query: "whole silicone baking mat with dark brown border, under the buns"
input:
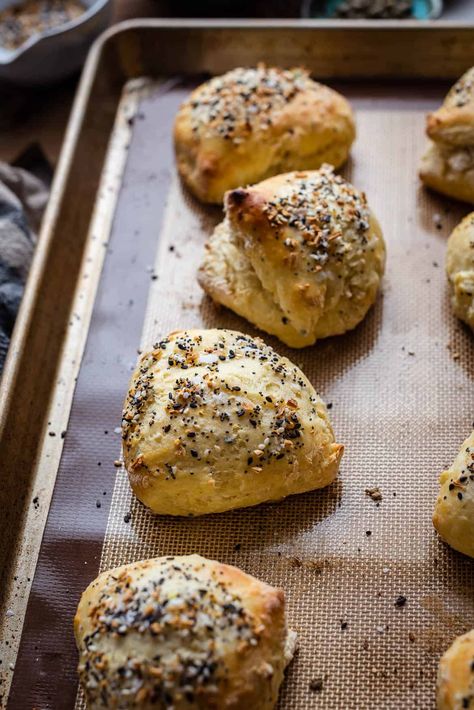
column 400, row 386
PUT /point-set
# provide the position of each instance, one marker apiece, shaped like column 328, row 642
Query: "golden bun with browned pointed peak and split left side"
column 299, row 255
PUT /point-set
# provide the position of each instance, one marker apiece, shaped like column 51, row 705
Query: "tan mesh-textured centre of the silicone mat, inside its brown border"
column 400, row 389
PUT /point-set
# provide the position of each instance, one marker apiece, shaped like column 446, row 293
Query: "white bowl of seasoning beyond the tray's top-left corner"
column 43, row 41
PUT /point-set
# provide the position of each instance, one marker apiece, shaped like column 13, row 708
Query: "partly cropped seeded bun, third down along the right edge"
column 454, row 511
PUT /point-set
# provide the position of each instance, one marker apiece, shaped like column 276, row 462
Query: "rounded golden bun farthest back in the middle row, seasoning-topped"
column 250, row 124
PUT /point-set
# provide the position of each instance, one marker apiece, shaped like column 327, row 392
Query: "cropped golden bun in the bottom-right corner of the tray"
column 455, row 687
